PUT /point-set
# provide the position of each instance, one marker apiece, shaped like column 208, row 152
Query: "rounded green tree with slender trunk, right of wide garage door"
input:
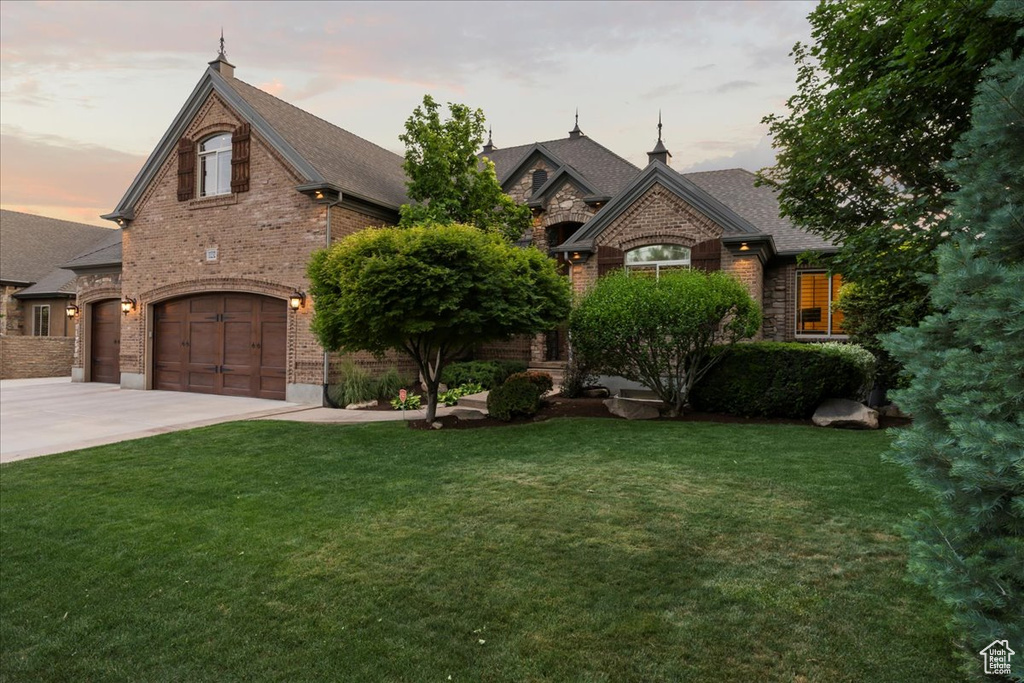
column 432, row 292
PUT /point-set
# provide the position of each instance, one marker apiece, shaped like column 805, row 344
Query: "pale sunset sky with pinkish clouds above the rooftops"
column 89, row 89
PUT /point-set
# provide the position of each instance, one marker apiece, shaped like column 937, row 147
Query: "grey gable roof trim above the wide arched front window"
column 659, row 174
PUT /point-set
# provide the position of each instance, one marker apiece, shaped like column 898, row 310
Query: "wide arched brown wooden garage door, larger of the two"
column 232, row 345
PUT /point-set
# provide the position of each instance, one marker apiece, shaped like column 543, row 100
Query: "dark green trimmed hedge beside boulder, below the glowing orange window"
column 777, row 380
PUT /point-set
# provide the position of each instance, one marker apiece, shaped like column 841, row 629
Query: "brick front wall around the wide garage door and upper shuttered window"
column 264, row 240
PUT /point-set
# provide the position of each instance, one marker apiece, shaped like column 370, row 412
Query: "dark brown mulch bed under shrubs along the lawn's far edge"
column 559, row 407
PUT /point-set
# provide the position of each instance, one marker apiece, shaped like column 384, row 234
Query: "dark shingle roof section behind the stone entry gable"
column 609, row 173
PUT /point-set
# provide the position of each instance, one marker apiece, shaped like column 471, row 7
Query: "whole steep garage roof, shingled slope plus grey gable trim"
column 321, row 153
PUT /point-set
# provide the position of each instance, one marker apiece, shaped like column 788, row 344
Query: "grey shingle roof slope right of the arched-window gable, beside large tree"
column 735, row 188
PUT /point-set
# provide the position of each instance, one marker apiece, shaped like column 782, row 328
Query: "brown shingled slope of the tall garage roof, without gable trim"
column 354, row 164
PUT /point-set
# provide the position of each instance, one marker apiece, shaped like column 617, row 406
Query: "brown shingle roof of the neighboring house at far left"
column 31, row 247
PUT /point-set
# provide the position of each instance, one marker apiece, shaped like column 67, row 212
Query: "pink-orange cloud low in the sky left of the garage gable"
column 53, row 172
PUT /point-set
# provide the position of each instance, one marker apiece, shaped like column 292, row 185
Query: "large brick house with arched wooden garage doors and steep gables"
column 207, row 293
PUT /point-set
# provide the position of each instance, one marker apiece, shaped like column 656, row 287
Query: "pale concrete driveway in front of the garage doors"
column 46, row 416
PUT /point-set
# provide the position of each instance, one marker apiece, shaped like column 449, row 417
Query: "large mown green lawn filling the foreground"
column 571, row 550
